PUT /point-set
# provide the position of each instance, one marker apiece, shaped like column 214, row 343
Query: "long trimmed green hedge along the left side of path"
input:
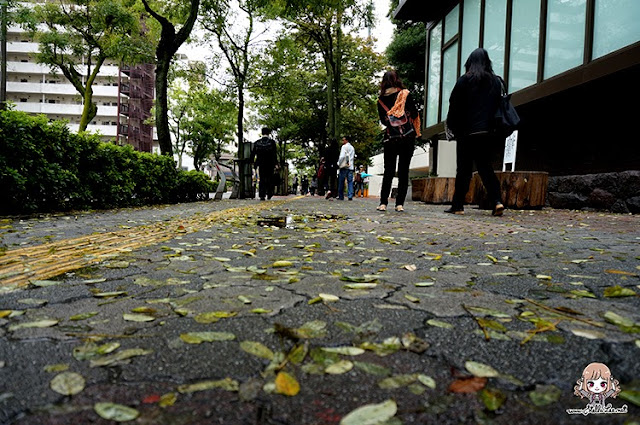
column 46, row 168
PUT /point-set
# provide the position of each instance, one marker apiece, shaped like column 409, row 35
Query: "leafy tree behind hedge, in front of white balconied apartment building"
column 76, row 37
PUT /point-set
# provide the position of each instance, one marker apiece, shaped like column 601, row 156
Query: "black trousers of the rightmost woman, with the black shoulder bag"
column 476, row 148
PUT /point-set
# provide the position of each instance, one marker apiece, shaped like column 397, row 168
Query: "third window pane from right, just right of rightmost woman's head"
column 525, row 33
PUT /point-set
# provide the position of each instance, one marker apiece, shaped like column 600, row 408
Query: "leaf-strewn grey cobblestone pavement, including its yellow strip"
column 299, row 311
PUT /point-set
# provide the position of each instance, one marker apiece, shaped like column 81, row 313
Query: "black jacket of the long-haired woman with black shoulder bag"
column 472, row 105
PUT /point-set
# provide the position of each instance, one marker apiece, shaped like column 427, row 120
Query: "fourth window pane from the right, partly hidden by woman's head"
column 494, row 32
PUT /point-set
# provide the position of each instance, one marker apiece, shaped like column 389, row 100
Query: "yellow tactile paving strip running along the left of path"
column 20, row 266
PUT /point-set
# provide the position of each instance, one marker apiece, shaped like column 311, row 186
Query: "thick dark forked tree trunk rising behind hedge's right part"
column 169, row 14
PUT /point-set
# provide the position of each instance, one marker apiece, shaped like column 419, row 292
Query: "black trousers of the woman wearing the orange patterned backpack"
column 396, row 151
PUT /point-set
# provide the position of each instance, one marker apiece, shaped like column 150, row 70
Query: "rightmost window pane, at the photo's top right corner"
column 616, row 25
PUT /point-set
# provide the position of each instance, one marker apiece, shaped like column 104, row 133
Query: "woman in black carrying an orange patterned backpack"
column 396, row 104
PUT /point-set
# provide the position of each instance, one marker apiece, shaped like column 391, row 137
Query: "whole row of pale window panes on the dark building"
column 616, row 25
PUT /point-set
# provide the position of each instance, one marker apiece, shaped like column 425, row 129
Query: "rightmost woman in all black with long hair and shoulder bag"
column 472, row 105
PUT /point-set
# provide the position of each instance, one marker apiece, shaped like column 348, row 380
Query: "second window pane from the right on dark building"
column 565, row 35
